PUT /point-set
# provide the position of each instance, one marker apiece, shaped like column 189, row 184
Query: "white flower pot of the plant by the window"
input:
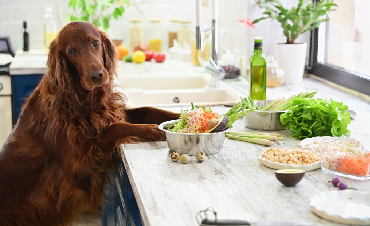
column 292, row 59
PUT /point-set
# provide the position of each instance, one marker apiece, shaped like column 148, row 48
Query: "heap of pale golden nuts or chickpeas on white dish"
column 293, row 156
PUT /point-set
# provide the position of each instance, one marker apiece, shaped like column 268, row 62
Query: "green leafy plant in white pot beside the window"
column 307, row 16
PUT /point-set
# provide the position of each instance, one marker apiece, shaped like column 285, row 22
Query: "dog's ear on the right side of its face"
column 109, row 53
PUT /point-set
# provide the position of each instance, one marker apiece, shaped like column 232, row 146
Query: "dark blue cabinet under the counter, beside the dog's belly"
column 120, row 206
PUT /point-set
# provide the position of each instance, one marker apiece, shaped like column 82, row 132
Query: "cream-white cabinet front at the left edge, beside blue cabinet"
column 5, row 118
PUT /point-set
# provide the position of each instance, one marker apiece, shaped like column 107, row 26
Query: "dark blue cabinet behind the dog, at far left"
column 22, row 87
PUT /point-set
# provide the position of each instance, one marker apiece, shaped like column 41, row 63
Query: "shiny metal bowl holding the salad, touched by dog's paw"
column 191, row 144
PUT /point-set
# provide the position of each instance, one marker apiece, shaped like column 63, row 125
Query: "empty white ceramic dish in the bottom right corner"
column 345, row 207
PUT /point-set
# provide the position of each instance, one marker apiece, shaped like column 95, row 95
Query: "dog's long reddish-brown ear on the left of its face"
column 57, row 72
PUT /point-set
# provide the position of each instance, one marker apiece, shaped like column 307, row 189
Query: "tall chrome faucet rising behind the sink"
column 212, row 68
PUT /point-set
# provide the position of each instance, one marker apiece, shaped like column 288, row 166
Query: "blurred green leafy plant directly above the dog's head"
column 98, row 12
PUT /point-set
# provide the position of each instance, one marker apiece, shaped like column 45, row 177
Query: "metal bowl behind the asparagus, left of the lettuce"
column 263, row 120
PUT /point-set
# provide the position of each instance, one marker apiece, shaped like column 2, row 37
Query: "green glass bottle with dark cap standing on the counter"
column 257, row 80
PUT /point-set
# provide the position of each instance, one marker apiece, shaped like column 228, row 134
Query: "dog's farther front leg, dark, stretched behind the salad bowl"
column 149, row 115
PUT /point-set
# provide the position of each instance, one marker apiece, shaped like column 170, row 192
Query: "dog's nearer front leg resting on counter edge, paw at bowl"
column 121, row 130
